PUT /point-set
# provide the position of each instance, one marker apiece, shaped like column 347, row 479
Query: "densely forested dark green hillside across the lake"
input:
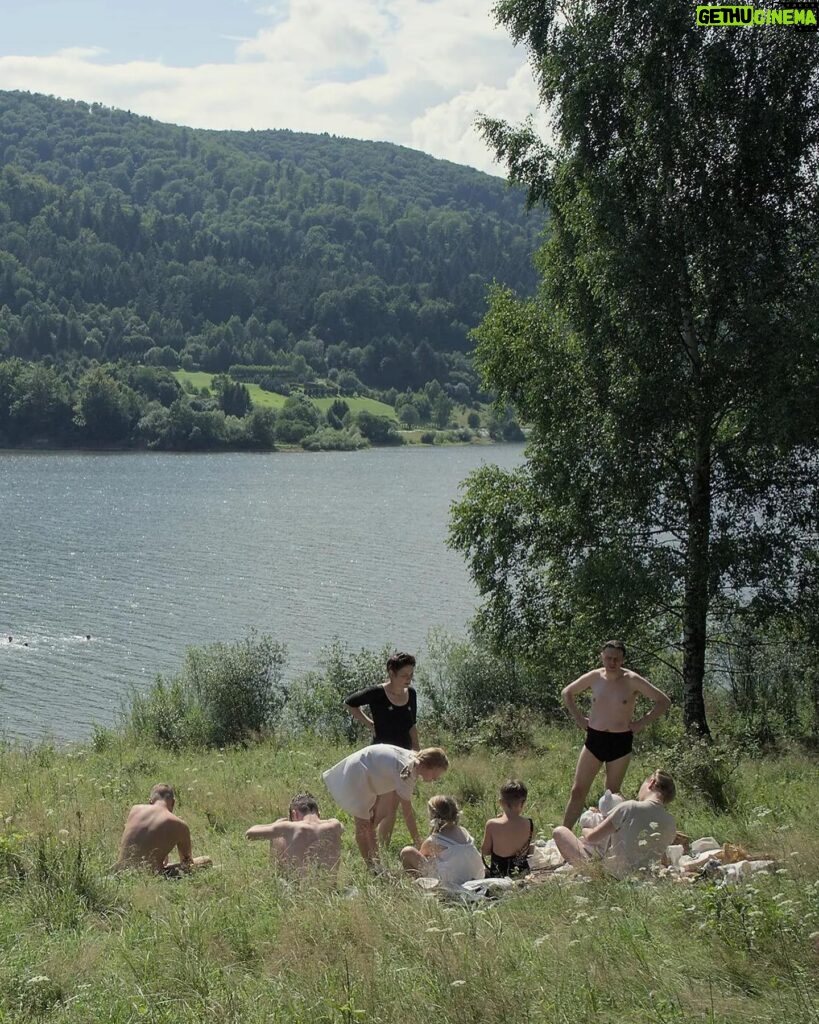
column 298, row 260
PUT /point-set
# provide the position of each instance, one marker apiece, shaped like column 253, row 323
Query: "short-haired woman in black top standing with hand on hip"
column 394, row 709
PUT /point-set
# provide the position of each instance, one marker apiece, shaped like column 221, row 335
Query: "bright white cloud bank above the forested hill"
column 413, row 72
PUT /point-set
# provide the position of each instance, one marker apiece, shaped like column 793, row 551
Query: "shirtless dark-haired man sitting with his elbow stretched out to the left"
column 304, row 839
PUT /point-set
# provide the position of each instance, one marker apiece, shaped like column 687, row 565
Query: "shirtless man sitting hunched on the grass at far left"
column 152, row 832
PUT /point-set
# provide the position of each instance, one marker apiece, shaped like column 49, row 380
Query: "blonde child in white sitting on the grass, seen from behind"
column 449, row 852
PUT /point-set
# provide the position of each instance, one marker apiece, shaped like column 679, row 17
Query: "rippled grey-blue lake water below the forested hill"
column 152, row 553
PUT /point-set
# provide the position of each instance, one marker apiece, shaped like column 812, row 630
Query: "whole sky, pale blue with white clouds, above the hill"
column 413, row 72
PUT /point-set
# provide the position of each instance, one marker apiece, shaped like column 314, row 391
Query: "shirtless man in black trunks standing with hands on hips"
column 610, row 730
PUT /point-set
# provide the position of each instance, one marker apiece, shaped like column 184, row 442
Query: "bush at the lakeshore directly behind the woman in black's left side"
column 316, row 701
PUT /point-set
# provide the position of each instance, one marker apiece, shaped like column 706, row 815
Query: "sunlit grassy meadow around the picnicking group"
column 241, row 944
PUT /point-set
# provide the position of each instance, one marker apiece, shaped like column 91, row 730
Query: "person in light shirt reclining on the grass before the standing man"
column 638, row 831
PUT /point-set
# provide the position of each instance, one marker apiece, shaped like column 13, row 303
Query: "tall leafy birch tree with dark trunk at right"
column 665, row 363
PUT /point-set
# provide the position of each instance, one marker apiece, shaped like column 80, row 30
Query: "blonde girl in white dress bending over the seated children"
column 358, row 782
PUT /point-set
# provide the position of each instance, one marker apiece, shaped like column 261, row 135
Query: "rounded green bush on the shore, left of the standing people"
column 226, row 694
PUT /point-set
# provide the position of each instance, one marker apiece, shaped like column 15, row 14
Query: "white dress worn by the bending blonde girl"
column 357, row 782
